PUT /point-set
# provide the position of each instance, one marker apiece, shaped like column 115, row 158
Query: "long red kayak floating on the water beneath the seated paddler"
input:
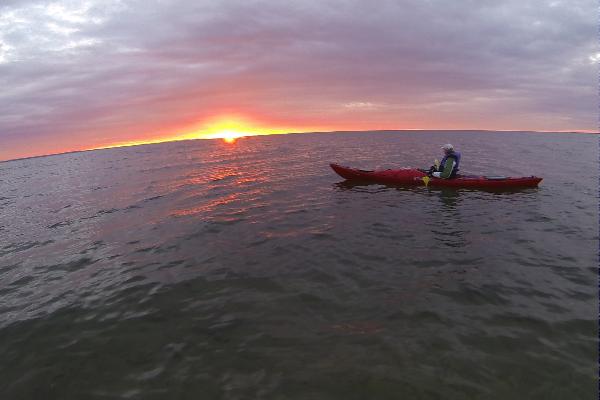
column 413, row 176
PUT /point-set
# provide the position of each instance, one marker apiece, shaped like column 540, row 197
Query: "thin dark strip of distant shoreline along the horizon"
column 297, row 133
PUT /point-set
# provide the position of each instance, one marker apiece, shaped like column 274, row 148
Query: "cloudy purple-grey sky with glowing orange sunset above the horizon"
column 98, row 73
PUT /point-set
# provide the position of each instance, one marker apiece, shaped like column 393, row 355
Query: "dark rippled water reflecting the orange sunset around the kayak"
column 249, row 270
